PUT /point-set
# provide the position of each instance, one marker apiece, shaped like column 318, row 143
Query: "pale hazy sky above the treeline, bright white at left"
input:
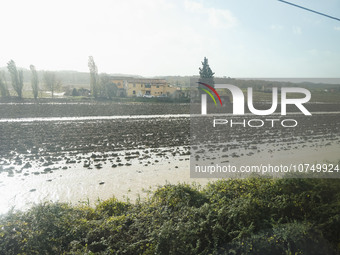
column 244, row 38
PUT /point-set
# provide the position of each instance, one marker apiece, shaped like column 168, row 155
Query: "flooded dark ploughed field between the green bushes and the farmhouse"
column 75, row 152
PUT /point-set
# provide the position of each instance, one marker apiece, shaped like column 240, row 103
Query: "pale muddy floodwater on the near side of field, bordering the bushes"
column 83, row 182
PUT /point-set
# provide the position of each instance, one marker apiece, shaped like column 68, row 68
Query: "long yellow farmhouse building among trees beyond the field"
column 139, row 87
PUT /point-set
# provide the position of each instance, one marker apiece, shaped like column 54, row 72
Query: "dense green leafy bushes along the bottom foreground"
column 248, row 216
